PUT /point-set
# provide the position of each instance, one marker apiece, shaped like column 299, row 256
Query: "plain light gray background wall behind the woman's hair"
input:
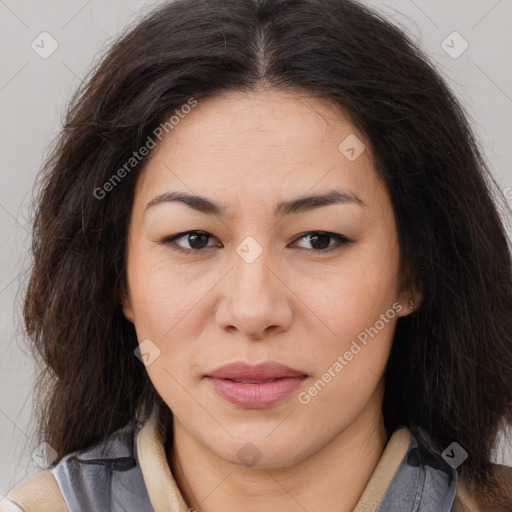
column 34, row 91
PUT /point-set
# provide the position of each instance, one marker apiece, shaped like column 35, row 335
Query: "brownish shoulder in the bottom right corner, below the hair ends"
column 496, row 496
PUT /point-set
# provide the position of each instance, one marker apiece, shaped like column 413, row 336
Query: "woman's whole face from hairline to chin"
column 258, row 275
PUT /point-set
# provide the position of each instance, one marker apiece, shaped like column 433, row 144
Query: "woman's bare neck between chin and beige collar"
column 332, row 479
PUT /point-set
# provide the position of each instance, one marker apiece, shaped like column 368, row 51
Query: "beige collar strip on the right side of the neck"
column 384, row 471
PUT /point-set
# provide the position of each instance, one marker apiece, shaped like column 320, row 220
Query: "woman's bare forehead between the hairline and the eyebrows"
column 259, row 145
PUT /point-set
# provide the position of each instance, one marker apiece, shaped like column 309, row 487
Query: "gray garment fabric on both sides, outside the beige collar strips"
column 108, row 477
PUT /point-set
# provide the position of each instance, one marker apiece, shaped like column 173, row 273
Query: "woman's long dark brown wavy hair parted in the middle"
column 450, row 368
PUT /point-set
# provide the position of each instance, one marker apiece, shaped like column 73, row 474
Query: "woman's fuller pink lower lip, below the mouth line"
column 256, row 396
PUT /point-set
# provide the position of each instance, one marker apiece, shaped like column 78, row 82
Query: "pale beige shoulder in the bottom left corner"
column 36, row 493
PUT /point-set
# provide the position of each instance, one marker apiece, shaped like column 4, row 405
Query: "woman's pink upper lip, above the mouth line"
column 261, row 371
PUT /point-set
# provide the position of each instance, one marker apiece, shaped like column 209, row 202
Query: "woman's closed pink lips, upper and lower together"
column 255, row 386
